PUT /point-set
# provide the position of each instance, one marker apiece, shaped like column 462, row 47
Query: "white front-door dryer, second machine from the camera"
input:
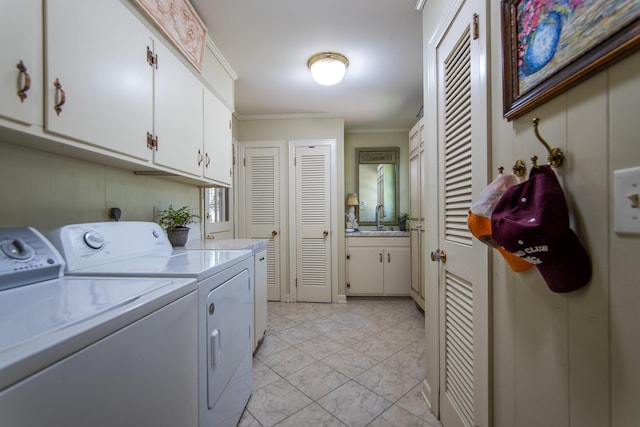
column 225, row 300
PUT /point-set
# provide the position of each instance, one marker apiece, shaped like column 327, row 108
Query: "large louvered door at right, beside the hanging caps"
column 462, row 146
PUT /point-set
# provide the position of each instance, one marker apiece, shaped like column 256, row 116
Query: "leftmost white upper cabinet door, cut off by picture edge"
column 21, row 33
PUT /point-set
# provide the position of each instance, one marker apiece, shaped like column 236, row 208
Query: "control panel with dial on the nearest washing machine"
column 27, row 257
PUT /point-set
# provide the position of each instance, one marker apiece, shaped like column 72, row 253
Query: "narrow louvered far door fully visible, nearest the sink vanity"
column 313, row 223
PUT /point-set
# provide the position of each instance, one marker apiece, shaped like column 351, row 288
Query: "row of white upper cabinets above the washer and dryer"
column 114, row 87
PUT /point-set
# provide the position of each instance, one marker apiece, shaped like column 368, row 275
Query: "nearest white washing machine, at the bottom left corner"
column 79, row 351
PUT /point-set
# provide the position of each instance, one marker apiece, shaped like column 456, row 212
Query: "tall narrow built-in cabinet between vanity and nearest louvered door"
column 416, row 162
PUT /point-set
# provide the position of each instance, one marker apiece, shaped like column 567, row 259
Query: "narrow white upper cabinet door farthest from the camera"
column 218, row 153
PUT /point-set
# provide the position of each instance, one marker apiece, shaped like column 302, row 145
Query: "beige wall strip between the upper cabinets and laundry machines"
column 45, row 191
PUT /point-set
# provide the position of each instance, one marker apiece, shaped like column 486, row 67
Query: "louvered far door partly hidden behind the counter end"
column 262, row 208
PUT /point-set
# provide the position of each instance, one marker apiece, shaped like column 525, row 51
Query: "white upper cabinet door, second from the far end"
column 177, row 114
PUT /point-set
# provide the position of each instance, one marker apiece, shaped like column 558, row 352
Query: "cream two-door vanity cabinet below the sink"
column 378, row 266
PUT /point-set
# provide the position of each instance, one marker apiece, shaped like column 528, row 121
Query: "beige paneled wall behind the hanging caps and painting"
column 567, row 359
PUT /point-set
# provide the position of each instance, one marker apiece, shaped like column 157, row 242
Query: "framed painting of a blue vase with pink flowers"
column 550, row 45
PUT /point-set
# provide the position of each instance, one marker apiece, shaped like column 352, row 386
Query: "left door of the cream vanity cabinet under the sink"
column 365, row 271
